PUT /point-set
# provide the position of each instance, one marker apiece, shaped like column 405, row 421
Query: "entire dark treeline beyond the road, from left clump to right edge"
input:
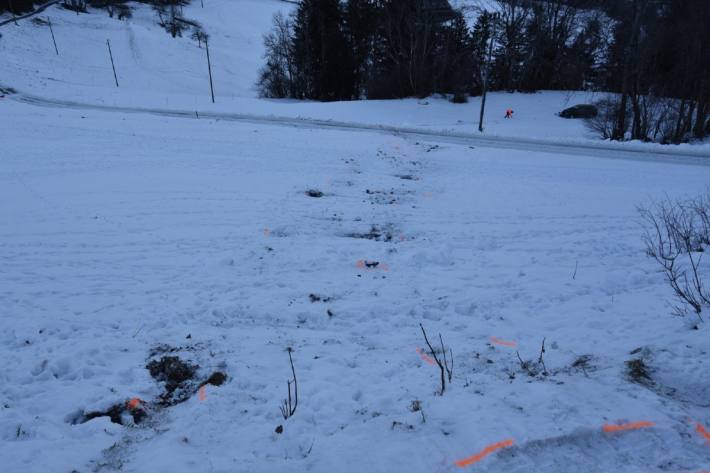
column 653, row 55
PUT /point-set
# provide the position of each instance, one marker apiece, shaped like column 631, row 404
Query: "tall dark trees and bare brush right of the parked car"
column 659, row 64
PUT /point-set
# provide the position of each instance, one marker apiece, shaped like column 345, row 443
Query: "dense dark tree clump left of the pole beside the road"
column 331, row 50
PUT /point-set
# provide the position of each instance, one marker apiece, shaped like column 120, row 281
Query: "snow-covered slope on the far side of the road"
column 155, row 70
